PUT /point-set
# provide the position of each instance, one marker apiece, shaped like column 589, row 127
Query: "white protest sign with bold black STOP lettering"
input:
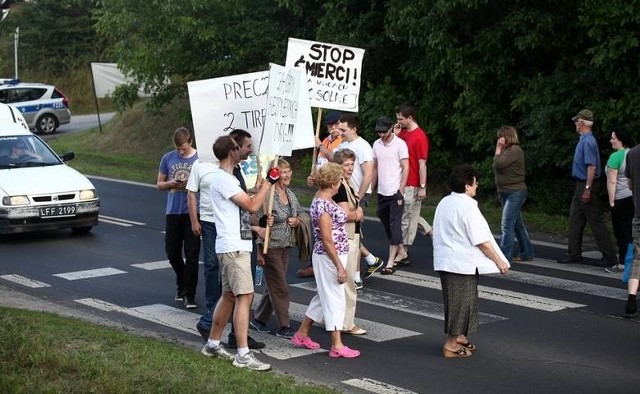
column 333, row 72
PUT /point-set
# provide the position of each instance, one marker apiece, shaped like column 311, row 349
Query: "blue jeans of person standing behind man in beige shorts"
column 212, row 285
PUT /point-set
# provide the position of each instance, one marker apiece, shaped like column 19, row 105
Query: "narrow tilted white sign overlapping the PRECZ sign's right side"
column 286, row 102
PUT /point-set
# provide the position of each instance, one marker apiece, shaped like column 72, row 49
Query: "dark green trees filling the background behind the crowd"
column 468, row 66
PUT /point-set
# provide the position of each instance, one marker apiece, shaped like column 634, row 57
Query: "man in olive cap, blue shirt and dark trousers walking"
column 585, row 204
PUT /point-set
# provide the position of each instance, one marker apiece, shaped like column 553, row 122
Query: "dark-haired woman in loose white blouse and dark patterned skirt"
column 463, row 248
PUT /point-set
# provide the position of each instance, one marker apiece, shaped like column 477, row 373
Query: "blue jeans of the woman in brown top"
column 512, row 225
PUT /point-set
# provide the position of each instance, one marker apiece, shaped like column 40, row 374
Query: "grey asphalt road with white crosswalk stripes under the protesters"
column 544, row 327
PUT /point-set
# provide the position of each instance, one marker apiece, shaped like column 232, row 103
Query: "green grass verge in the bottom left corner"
column 45, row 353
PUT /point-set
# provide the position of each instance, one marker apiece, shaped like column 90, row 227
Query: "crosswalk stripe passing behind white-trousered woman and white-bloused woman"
column 404, row 304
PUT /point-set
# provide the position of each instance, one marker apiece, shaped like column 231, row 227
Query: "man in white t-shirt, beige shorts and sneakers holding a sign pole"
column 231, row 208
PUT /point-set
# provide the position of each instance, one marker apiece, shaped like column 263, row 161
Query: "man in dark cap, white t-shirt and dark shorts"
column 390, row 172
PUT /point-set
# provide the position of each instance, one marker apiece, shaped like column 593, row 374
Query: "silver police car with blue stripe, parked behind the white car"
column 43, row 106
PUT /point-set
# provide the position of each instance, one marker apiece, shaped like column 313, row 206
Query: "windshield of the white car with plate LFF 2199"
column 25, row 151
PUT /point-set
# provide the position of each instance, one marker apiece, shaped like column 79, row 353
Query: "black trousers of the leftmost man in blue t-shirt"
column 179, row 237
